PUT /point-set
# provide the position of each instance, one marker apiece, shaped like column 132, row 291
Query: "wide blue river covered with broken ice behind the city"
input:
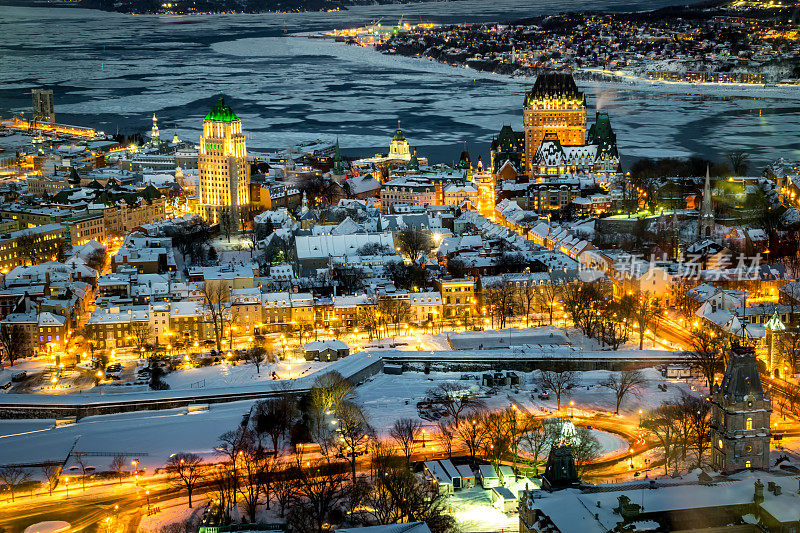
column 112, row 71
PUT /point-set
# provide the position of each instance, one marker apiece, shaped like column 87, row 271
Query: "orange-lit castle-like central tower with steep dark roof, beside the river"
column 553, row 105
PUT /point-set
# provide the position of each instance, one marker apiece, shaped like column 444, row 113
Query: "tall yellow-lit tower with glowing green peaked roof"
column 224, row 172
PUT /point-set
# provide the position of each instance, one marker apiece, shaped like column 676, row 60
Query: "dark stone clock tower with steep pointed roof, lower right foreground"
column 740, row 416
